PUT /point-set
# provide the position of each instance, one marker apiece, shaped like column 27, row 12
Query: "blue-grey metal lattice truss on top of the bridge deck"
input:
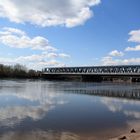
column 100, row 70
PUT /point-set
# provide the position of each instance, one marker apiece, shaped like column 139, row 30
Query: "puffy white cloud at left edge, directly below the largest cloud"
column 16, row 38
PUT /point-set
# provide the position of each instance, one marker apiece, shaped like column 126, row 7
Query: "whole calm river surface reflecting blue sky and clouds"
column 41, row 110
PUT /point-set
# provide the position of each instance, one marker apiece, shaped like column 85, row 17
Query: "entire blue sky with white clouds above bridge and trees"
column 57, row 33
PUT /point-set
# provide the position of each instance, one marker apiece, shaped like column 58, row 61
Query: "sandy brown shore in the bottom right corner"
column 128, row 136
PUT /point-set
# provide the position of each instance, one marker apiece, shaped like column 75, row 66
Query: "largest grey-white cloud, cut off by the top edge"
column 44, row 13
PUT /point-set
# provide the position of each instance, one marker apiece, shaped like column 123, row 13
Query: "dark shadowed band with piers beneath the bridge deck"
column 91, row 78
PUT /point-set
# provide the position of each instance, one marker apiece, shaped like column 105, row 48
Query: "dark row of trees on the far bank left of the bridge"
column 18, row 71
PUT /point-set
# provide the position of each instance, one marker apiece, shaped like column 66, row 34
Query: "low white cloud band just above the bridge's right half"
column 110, row 61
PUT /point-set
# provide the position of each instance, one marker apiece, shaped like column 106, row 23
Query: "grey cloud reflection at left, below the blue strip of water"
column 13, row 115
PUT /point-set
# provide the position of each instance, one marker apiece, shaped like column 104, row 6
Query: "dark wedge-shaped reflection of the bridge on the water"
column 118, row 91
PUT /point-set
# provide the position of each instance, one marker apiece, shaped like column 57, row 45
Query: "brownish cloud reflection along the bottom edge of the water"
column 40, row 135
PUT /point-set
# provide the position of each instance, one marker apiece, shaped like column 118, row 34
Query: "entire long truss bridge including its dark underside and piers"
column 129, row 73
